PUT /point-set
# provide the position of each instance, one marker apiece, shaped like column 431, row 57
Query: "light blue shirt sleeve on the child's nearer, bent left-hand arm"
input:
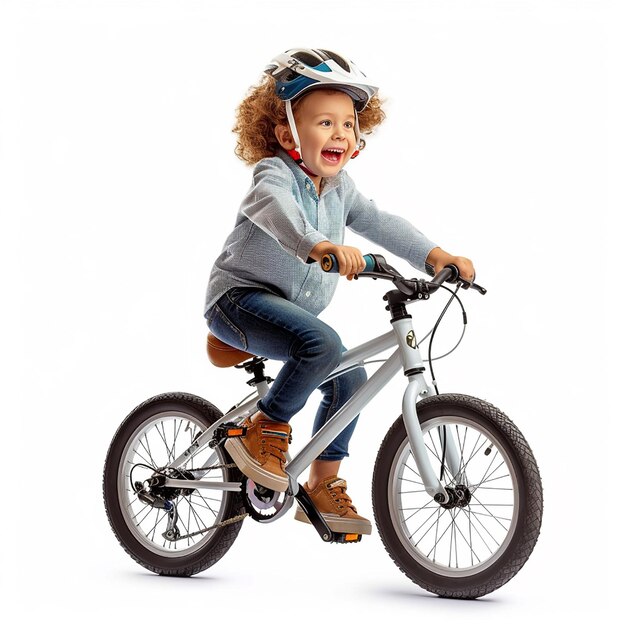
column 271, row 205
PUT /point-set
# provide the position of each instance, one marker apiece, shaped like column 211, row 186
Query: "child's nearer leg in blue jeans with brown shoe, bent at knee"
column 267, row 325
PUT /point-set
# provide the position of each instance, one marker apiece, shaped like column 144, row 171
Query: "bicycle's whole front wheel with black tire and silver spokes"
column 478, row 541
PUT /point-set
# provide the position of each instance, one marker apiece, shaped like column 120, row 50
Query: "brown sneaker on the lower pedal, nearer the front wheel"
column 335, row 505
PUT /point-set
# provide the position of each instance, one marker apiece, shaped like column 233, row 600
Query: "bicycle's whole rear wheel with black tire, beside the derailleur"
column 148, row 440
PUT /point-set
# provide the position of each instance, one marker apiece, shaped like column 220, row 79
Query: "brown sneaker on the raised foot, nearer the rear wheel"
column 260, row 454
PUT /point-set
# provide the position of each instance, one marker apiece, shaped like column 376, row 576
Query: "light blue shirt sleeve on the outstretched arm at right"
column 392, row 232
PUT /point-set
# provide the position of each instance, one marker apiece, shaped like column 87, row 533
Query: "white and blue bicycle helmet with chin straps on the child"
column 301, row 70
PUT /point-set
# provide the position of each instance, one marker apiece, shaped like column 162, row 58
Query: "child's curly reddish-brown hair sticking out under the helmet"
column 262, row 110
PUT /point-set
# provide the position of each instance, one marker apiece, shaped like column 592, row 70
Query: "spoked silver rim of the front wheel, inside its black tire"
column 464, row 540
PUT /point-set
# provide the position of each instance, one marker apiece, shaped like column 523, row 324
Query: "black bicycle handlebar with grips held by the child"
column 377, row 267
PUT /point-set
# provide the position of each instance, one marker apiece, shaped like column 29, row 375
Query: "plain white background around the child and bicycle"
column 118, row 185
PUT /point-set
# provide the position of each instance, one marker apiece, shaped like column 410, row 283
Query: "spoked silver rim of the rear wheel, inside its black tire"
column 155, row 443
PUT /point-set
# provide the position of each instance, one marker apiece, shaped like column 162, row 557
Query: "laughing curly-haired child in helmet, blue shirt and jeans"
column 299, row 128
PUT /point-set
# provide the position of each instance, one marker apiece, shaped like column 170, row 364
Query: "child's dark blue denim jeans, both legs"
column 270, row 326
